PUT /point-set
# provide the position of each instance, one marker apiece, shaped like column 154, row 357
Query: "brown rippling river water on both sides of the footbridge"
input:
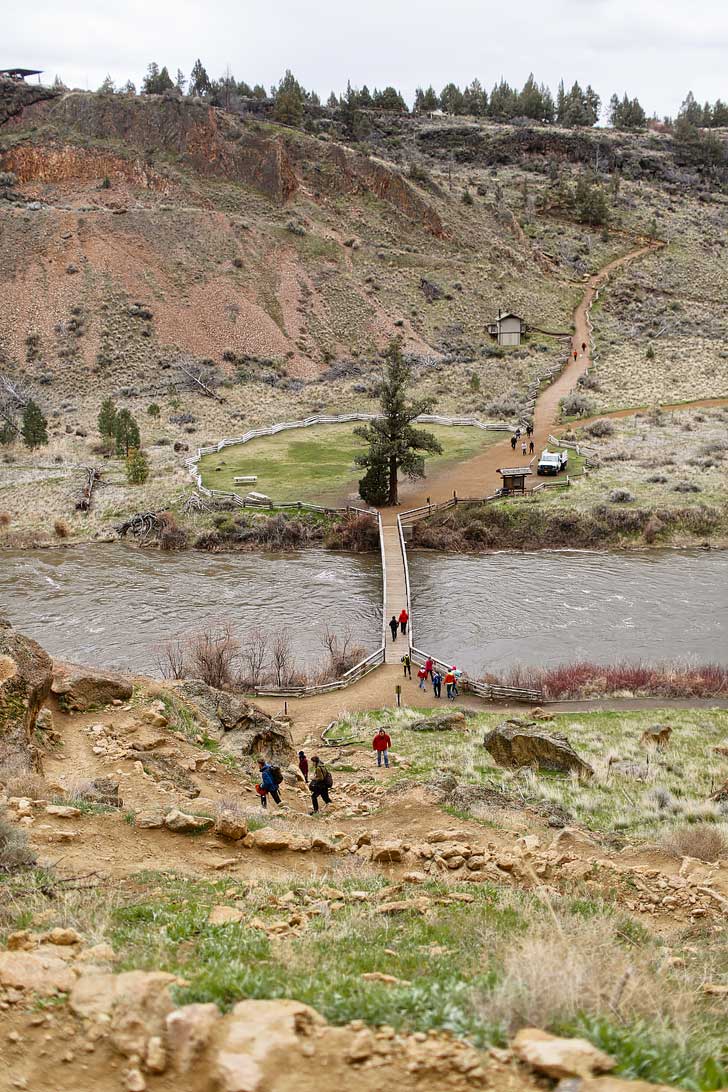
column 113, row 606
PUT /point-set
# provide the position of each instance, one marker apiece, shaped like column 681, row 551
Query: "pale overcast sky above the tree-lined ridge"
column 655, row 50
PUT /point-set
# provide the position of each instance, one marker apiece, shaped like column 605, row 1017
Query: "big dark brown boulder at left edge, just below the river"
column 26, row 681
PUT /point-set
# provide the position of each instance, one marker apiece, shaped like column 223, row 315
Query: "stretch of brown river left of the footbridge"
column 113, row 606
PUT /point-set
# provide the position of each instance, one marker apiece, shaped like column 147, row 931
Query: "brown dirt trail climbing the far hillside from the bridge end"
column 479, row 477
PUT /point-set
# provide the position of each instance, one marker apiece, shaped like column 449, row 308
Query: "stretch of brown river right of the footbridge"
column 492, row 611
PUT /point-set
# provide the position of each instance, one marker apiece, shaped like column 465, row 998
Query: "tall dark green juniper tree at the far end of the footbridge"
column 395, row 445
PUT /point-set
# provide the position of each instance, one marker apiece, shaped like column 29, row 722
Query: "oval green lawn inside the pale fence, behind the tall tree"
column 317, row 464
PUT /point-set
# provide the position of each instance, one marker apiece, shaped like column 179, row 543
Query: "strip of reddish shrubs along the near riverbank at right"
column 583, row 680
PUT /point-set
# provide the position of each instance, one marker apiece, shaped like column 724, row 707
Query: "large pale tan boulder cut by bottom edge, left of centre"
column 261, row 1040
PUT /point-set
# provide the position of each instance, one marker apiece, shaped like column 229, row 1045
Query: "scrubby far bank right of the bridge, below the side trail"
column 652, row 479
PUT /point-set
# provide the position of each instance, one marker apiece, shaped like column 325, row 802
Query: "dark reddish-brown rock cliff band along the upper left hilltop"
column 273, row 161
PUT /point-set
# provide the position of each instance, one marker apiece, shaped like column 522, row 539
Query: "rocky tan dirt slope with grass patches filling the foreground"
column 160, row 932
